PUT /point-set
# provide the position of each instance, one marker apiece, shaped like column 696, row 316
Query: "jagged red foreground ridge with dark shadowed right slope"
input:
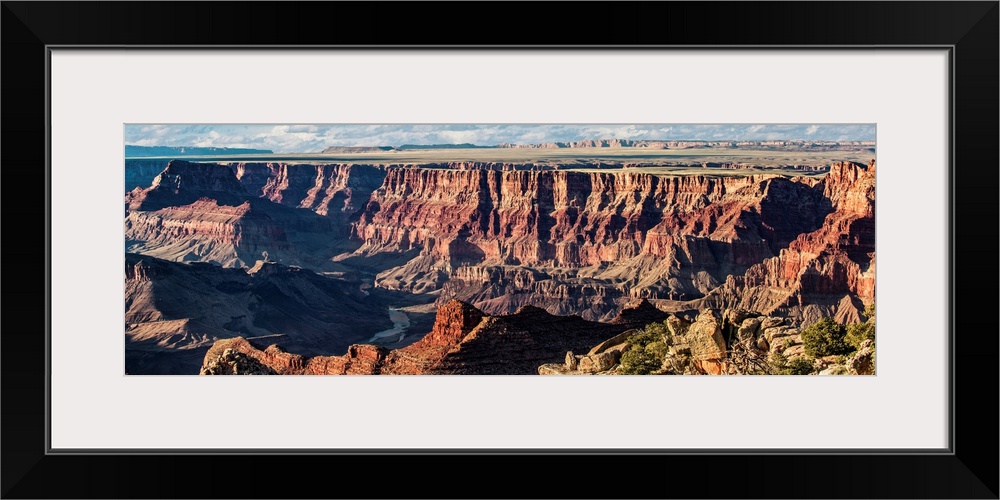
column 464, row 340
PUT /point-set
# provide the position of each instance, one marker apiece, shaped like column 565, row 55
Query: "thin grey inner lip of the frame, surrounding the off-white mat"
column 948, row 450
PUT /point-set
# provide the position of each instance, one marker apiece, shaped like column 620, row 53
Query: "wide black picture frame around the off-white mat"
column 970, row 29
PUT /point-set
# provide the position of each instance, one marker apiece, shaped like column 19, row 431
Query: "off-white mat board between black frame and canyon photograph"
column 95, row 92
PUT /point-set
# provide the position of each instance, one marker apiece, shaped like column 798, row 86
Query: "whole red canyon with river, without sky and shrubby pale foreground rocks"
column 494, row 267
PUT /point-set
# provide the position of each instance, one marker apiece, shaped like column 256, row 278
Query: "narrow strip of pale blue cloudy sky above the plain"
column 315, row 138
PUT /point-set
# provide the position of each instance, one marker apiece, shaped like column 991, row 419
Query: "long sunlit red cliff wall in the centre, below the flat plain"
column 619, row 234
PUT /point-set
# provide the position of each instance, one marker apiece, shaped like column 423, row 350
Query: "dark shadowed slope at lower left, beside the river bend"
column 175, row 311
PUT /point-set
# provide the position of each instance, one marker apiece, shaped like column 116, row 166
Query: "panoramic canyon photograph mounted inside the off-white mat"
column 499, row 249
